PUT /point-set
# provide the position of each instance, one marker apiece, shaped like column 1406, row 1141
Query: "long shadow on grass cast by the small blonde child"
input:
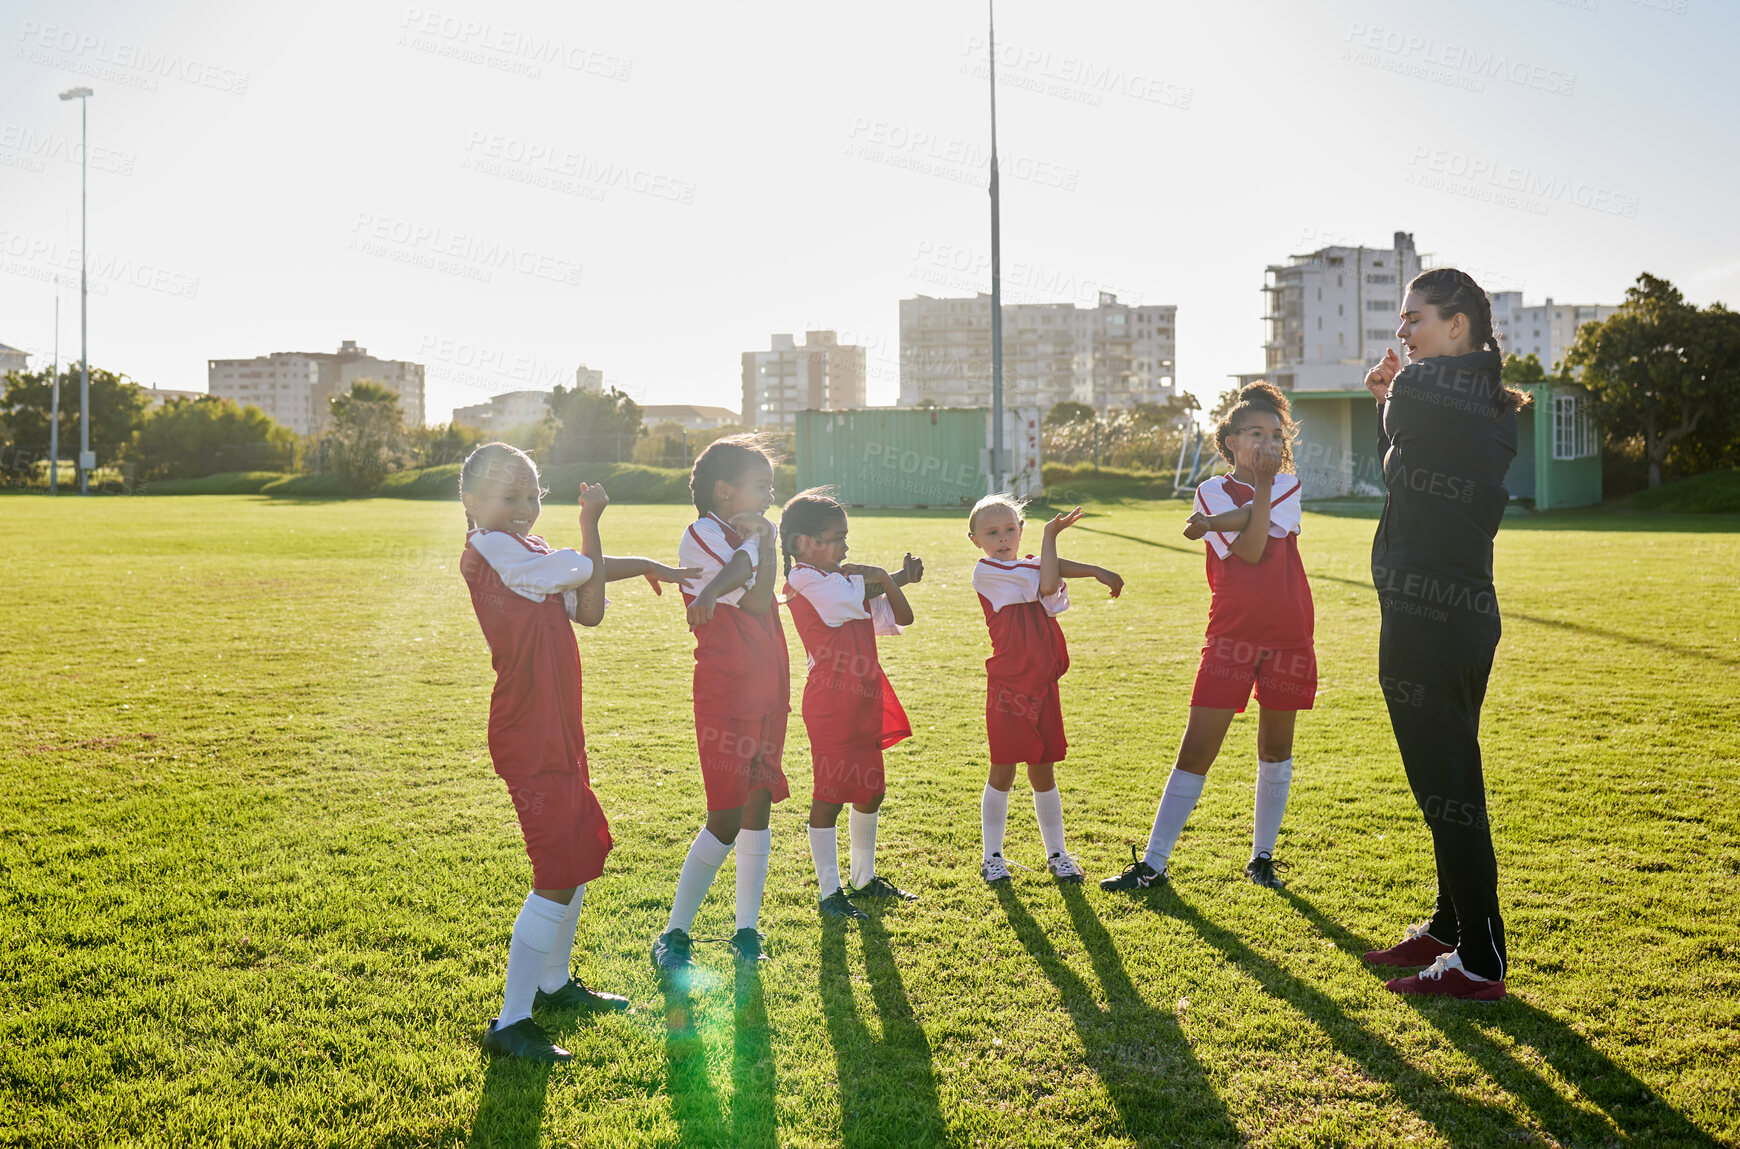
column 1141, row 1054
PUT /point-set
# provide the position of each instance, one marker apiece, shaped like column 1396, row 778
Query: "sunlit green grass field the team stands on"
column 257, row 877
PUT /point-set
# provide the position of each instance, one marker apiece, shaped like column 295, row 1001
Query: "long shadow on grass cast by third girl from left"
column 888, row 1089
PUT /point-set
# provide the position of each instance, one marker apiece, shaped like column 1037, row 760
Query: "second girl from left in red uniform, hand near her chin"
column 742, row 690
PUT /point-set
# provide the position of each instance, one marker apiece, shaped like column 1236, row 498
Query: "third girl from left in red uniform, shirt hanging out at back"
column 850, row 709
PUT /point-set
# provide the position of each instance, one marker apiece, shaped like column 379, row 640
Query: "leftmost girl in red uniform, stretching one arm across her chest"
column 526, row 595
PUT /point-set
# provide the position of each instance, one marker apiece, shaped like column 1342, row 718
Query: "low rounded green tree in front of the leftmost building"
column 192, row 438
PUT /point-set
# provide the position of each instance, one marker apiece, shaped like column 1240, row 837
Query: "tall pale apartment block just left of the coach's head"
column 1334, row 311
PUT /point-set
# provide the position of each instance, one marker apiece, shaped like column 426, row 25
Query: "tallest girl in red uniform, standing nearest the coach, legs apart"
column 1259, row 633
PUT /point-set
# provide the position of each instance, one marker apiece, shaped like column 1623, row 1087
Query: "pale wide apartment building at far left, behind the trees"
column 297, row 387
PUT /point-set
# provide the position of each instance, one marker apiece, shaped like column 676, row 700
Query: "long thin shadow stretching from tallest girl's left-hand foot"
column 1461, row 1120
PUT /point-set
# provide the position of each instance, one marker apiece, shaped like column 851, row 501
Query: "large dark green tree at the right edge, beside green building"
column 1663, row 370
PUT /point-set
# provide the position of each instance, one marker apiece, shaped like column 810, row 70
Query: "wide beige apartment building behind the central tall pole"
column 1111, row 356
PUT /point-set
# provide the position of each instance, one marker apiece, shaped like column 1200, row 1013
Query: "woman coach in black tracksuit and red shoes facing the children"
column 1449, row 436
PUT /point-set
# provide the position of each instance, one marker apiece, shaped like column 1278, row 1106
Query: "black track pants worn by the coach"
column 1435, row 666
